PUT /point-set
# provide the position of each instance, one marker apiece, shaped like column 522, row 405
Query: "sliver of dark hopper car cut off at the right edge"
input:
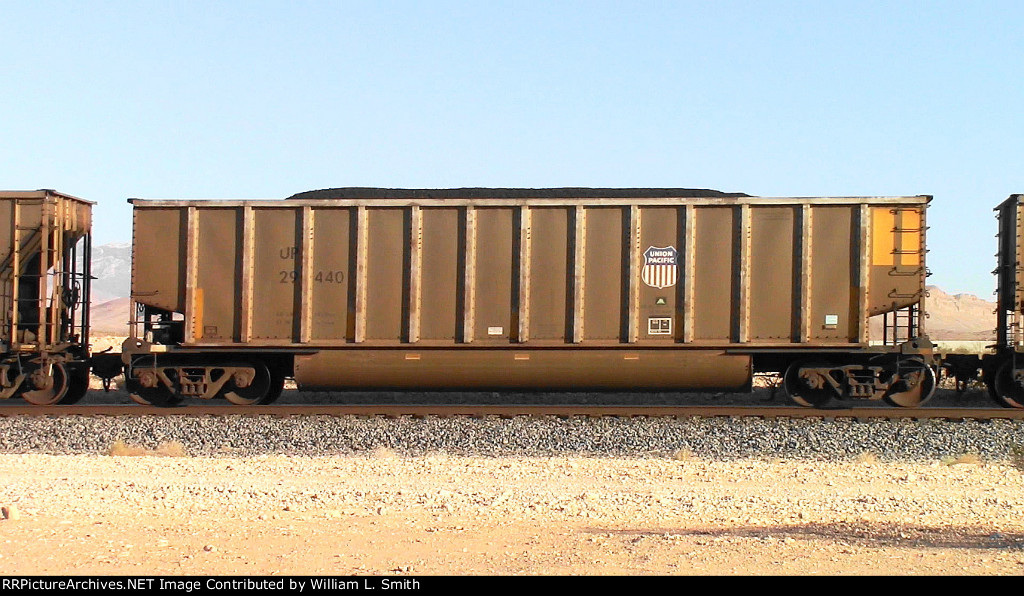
column 1004, row 372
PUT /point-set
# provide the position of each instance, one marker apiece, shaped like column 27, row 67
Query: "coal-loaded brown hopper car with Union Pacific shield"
column 590, row 289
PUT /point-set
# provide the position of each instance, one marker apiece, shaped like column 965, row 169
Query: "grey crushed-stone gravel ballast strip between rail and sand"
column 710, row 439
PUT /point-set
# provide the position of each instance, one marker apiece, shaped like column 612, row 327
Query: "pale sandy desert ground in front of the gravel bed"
column 385, row 515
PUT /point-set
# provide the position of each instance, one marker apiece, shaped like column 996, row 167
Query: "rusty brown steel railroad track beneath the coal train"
column 509, row 411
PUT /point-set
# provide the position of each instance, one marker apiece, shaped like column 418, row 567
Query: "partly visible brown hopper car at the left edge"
column 45, row 296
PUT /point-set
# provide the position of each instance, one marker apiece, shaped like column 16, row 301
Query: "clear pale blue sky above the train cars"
column 113, row 100
